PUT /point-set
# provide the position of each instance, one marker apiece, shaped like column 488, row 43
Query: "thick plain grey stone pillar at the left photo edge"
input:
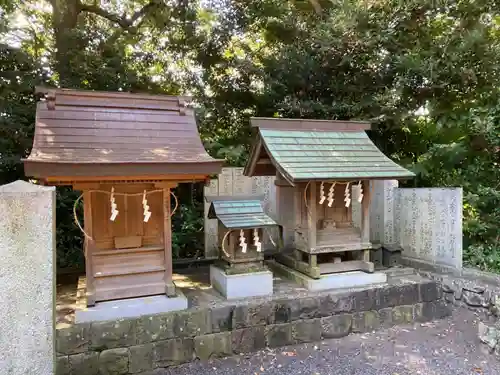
column 27, row 279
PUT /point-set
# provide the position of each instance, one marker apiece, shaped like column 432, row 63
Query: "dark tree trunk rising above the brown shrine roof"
column 64, row 20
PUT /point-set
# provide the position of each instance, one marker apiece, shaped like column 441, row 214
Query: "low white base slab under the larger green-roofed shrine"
column 341, row 280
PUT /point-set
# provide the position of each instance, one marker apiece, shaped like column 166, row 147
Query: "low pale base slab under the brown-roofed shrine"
column 132, row 308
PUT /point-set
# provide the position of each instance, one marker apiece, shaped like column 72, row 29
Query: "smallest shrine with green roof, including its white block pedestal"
column 242, row 225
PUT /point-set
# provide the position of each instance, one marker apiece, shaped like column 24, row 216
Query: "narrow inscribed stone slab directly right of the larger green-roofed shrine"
column 382, row 226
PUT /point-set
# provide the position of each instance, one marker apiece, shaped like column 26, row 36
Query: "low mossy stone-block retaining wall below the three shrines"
column 142, row 345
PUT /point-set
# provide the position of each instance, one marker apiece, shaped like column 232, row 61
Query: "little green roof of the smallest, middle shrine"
column 240, row 214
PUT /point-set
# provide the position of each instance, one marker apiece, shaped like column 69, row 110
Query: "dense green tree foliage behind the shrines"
column 425, row 73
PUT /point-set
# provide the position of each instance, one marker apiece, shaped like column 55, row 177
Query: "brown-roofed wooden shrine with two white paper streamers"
column 125, row 152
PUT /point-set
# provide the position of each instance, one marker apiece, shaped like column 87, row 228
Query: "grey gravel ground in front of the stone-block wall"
column 446, row 347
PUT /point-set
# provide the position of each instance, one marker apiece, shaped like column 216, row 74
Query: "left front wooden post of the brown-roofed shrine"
column 89, row 247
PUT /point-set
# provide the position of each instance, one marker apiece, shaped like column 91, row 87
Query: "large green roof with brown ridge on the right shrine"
column 304, row 150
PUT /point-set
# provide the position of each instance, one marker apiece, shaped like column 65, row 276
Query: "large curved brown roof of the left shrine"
column 101, row 134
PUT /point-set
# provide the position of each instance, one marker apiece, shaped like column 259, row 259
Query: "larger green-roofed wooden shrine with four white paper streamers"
column 321, row 161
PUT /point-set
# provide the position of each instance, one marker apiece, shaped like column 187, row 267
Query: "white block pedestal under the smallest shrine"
column 242, row 285
